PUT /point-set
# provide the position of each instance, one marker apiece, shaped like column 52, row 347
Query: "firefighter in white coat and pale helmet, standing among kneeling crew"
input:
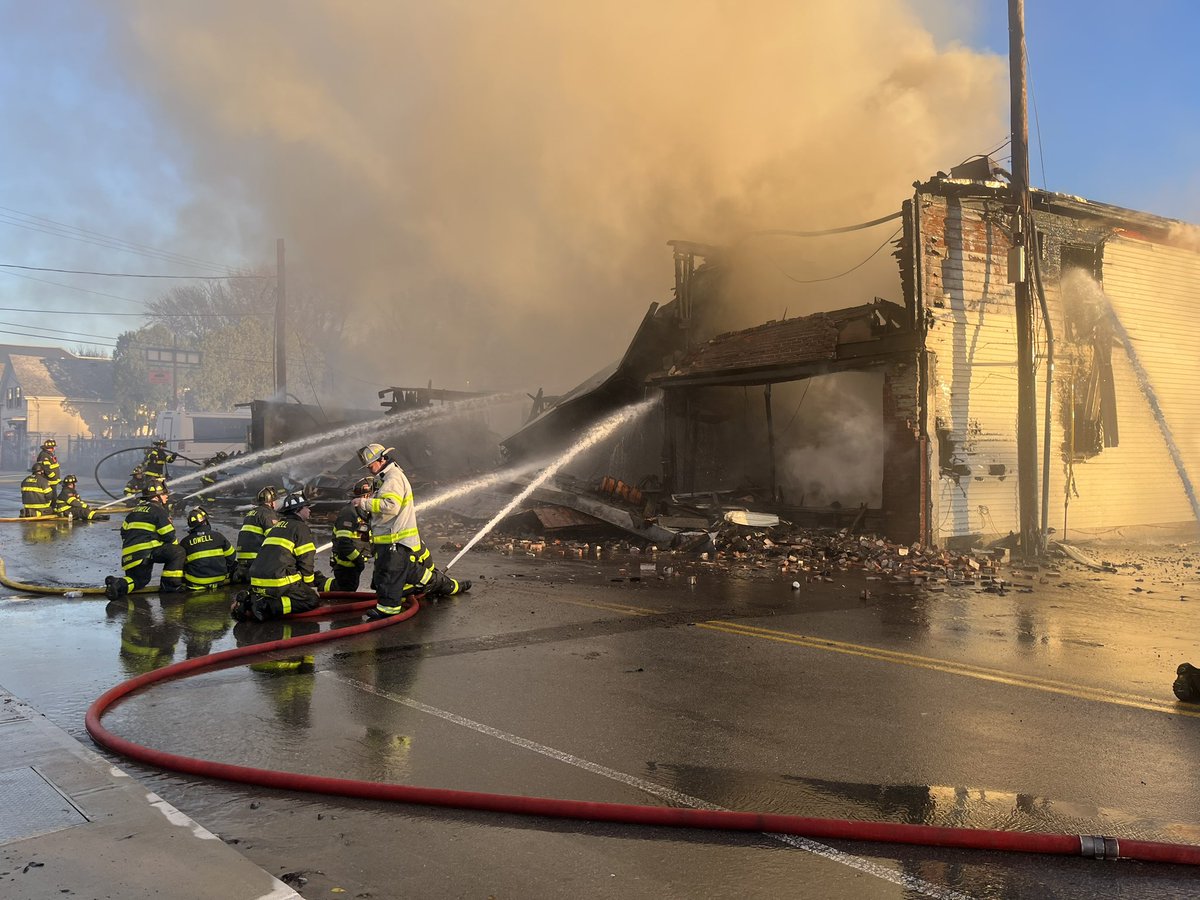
column 403, row 565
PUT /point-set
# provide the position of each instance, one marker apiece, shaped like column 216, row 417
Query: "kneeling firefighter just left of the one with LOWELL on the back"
column 147, row 538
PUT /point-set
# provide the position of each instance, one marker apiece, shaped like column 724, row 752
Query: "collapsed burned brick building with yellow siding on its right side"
column 931, row 380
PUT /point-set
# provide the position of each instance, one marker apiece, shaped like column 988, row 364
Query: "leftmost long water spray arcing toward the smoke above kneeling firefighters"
column 335, row 443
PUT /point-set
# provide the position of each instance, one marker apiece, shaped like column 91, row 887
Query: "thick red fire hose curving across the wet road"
column 1094, row 847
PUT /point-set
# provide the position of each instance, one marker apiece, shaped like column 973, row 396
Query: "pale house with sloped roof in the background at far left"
column 50, row 393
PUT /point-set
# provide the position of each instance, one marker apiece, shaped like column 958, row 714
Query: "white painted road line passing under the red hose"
column 674, row 797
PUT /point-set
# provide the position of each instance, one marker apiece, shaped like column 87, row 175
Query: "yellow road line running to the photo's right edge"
column 959, row 669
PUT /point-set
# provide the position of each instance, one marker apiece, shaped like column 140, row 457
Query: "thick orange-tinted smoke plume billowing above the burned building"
column 491, row 185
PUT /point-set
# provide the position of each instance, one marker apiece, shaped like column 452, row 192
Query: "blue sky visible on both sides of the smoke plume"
column 1114, row 86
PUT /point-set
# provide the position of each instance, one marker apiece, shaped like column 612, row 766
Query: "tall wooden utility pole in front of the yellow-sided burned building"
column 1019, row 274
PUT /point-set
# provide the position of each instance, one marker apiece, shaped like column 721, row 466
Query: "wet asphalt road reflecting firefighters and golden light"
column 1047, row 711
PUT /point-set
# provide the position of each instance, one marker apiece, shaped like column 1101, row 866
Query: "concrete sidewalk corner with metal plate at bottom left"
column 74, row 825
